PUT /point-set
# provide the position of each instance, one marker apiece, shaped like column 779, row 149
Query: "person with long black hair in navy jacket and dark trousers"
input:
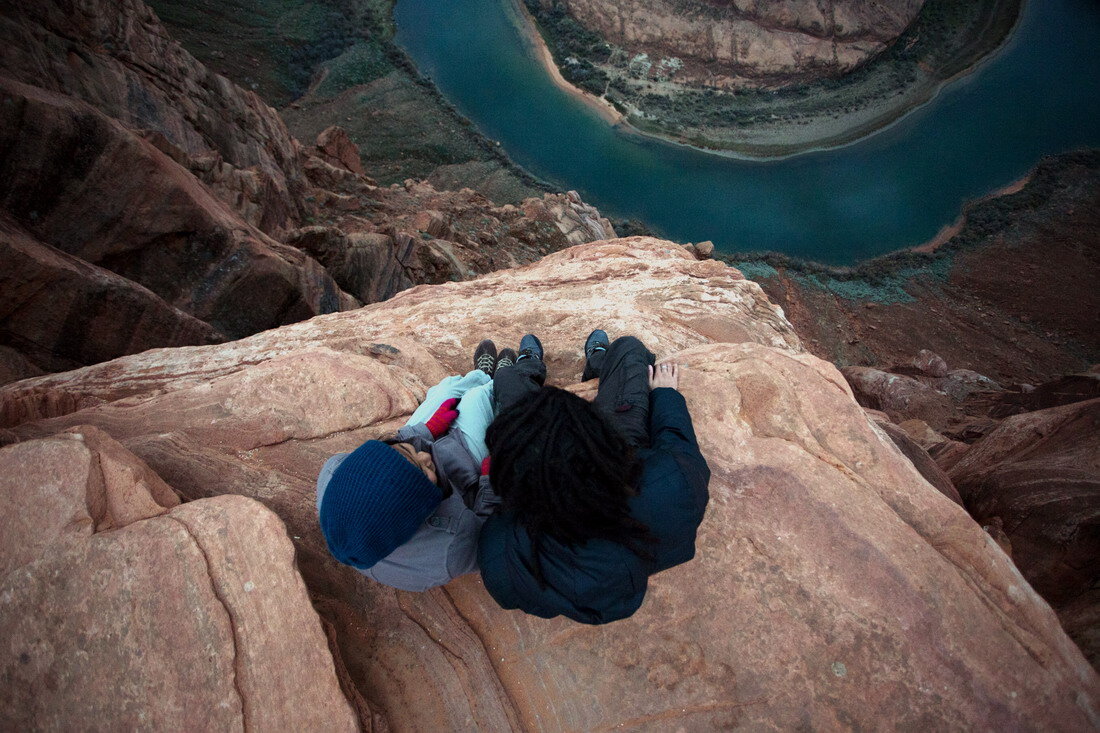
column 596, row 497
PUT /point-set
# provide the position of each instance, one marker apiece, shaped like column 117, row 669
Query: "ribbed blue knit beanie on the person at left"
column 375, row 502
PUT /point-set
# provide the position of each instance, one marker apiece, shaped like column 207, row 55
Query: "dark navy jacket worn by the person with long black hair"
column 602, row 582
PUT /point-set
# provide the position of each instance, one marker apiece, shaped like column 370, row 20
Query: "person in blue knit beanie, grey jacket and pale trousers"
column 408, row 511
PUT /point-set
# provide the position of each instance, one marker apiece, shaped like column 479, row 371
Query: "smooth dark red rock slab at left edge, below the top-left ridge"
column 87, row 187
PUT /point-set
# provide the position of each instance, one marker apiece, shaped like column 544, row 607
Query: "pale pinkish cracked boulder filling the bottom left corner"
column 125, row 610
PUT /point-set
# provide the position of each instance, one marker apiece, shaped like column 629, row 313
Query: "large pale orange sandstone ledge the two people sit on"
column 833, row 586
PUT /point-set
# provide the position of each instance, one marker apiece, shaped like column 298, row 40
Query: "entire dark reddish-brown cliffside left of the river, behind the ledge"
column 148, row 202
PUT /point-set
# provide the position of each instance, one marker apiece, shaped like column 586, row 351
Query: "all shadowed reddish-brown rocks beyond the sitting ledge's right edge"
column 1025, row 461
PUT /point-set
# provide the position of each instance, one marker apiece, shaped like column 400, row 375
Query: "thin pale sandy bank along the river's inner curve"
column 773, row 140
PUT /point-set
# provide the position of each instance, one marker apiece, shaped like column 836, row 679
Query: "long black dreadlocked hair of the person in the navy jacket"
column 566, row 473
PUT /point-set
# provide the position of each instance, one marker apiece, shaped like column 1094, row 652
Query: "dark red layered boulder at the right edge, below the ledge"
column 1040, row 474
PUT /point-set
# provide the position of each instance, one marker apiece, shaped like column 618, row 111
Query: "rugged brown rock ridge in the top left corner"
column 117, row 57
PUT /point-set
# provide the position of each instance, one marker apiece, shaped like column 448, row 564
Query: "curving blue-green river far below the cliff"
column 1039, row 95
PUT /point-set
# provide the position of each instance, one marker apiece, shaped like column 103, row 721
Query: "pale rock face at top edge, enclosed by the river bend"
column 724, row 41
